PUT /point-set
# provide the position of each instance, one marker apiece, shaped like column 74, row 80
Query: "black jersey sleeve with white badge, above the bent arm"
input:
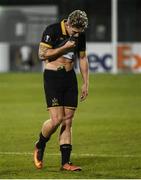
column 48, row 37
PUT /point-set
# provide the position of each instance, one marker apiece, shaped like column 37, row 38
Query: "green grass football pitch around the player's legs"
column 106, row 129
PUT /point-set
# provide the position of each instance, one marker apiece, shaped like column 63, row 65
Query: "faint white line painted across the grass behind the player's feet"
column 74, row 154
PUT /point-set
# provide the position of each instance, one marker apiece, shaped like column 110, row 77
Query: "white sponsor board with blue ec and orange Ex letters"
column 101, row 60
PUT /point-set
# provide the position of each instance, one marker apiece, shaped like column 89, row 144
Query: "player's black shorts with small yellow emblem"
column 61, row 88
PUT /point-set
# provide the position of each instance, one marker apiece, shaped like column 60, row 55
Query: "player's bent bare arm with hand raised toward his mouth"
column 50, row 54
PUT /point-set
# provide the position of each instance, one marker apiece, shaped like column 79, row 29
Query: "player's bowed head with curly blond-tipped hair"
column 78, row 21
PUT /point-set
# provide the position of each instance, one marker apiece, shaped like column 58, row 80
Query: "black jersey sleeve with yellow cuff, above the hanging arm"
column 82, row 45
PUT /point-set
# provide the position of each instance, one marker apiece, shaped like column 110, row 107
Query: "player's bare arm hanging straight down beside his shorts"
column 84, row 69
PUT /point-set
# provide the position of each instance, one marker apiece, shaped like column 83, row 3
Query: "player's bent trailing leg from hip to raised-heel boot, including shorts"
column 52, row 88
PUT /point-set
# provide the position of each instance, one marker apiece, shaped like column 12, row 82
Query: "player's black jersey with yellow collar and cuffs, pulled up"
column 55, row 35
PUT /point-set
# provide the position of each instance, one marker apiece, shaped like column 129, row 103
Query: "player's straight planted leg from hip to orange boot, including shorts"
column 70, row 104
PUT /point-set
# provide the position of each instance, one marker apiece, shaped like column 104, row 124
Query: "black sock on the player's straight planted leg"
column 65, row 152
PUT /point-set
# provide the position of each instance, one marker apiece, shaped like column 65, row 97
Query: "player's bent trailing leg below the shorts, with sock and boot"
column 48, row 128
